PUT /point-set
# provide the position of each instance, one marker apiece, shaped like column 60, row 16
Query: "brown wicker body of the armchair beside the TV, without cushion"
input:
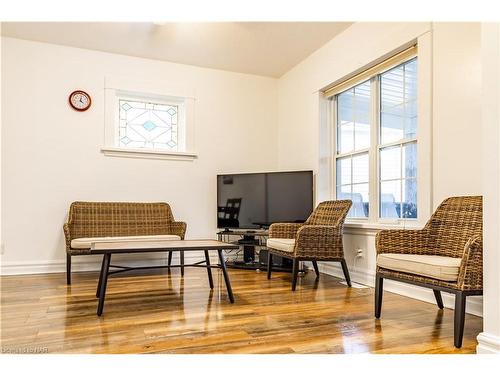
column 320, row 237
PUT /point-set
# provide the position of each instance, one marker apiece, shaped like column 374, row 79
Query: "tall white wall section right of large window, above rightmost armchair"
column 457, row 133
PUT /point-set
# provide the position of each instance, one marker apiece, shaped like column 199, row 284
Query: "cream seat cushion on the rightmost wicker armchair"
column 434, row 266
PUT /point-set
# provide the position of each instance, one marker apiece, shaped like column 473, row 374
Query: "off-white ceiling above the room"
column 263, row 48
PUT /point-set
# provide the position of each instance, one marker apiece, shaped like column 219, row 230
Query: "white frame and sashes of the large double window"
column 375, row 147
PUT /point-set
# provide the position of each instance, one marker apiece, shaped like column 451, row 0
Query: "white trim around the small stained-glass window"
column 116, row 88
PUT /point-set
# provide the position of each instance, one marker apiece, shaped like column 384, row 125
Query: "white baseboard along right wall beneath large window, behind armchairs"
column 474, row 303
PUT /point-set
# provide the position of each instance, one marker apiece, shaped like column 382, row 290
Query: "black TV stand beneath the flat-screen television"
column 254, row 255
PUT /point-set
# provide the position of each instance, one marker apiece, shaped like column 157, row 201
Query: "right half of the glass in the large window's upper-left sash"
column 362, row 116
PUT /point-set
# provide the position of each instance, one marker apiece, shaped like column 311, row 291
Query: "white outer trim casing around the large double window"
column 327, row 173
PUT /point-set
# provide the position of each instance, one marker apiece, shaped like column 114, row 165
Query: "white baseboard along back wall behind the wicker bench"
column 89, row 263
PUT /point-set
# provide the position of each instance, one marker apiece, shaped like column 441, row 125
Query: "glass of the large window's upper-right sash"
column 398, row 103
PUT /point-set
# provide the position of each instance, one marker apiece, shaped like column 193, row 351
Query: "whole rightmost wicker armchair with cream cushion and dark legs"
column 446, row 255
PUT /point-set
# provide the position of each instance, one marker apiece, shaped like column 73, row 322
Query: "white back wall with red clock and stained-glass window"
column 51, row 153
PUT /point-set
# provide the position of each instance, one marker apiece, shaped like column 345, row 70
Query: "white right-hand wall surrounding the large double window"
column 456, row 117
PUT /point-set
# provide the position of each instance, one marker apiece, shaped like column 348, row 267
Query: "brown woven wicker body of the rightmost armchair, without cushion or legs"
column 454, row 230
